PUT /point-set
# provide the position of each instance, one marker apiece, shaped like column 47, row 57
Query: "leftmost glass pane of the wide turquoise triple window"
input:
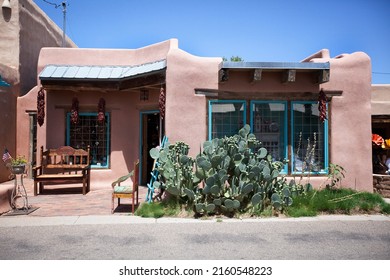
column 226, row 118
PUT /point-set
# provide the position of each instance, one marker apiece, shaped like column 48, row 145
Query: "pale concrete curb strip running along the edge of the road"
column 23, row 221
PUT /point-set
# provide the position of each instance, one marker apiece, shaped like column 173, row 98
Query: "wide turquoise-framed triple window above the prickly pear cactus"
column 288, row 130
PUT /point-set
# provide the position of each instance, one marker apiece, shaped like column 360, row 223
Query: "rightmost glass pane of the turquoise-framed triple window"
column 309, row 139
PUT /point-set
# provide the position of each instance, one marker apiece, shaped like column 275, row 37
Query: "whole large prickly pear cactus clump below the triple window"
column 230, row 175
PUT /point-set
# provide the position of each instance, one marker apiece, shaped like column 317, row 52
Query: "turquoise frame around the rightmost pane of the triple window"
column 325, row 145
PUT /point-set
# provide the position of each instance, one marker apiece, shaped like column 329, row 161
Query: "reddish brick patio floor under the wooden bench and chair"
column 68, row 200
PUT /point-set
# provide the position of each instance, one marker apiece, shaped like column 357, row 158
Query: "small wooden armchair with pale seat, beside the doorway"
column 126, row 191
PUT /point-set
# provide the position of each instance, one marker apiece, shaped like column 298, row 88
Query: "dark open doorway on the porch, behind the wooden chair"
column 150, row 138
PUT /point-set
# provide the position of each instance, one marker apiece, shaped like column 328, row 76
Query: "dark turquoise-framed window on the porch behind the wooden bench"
column 89, row 132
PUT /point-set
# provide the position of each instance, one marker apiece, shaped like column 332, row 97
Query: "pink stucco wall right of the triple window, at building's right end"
column 350, row 119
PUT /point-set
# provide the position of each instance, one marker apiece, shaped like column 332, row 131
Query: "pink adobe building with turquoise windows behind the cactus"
column 204, row 98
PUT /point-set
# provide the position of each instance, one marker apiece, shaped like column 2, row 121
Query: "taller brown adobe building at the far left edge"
column 25, row 29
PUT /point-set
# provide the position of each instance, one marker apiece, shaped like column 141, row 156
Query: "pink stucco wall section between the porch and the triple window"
column 186, row 113
